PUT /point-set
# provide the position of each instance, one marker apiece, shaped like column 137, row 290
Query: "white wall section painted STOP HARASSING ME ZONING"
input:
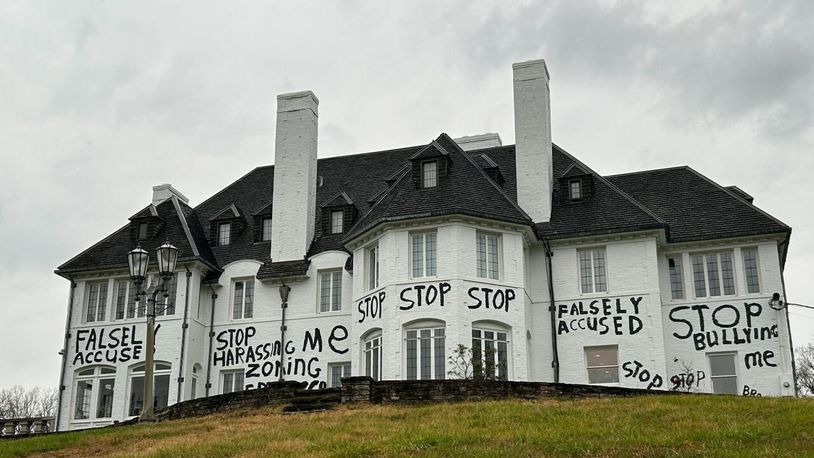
column 313, row 339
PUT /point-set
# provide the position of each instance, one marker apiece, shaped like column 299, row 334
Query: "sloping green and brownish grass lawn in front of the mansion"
column 639, row 426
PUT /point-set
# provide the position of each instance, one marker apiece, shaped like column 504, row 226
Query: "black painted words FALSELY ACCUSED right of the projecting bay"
column 600, row 316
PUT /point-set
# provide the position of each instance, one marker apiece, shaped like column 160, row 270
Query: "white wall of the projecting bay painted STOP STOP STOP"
column 457, row 275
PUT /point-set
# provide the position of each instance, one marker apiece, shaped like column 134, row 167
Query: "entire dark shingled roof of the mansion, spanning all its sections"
column 380, row 186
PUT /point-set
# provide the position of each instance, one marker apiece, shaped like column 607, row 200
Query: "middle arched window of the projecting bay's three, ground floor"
column 424, row 343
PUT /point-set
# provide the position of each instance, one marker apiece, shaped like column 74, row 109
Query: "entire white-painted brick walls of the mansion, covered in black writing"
column 636, row 267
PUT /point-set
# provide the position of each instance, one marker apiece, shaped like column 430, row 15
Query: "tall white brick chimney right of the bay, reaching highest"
column 532, row 127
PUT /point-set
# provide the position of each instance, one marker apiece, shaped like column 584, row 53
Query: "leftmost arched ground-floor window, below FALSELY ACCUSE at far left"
column 94, row 388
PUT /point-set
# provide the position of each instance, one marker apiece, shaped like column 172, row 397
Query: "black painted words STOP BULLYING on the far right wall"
column 725, row 323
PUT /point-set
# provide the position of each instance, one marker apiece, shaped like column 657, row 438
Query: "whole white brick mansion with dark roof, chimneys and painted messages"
column 548, row 271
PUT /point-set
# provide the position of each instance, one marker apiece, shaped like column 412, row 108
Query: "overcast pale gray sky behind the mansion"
column 99, row 101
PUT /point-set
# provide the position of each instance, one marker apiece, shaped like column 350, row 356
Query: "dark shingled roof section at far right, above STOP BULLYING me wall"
column 695, row 207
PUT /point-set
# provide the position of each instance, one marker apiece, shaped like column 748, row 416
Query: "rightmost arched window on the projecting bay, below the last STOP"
column 491, row 351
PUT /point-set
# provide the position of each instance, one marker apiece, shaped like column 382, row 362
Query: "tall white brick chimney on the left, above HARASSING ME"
column 295, row 176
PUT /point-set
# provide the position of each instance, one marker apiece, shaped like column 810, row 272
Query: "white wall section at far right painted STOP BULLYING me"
column 695, row 327
